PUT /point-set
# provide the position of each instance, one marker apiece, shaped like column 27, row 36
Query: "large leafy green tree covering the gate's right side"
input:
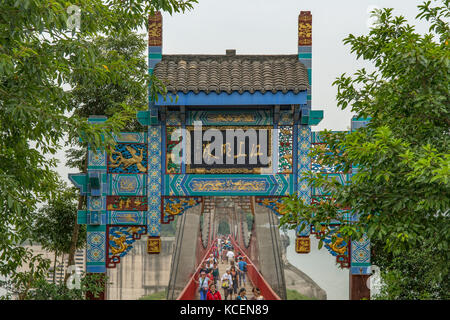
column 401, row 188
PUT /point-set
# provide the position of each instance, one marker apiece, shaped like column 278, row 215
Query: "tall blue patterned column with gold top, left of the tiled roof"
column 154, row 141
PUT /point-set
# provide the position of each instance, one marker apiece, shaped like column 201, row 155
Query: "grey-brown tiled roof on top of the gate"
column 232, row 73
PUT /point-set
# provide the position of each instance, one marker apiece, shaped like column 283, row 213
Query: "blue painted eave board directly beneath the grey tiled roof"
column 235, row 98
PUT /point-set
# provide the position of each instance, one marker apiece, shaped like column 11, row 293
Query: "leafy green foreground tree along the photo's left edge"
column 38, row 55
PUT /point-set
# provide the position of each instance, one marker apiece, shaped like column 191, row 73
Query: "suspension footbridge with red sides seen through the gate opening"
column 260, row 246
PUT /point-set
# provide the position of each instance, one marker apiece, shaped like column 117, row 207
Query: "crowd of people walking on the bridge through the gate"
column 234, row 277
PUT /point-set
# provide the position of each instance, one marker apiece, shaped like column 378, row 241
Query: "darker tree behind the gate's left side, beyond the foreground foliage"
column 123, row 53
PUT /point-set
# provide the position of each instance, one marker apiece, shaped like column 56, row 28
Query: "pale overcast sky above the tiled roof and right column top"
column 270, row 27
